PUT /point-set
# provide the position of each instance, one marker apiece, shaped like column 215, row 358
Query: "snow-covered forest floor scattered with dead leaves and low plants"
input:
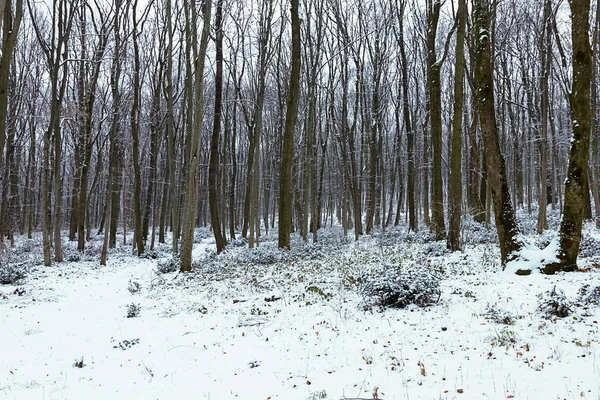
column 266, row 324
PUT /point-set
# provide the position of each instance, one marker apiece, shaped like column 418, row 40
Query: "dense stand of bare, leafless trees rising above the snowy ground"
column 251, row 115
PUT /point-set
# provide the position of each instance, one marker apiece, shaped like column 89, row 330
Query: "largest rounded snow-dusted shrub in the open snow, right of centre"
column 398, row 286
